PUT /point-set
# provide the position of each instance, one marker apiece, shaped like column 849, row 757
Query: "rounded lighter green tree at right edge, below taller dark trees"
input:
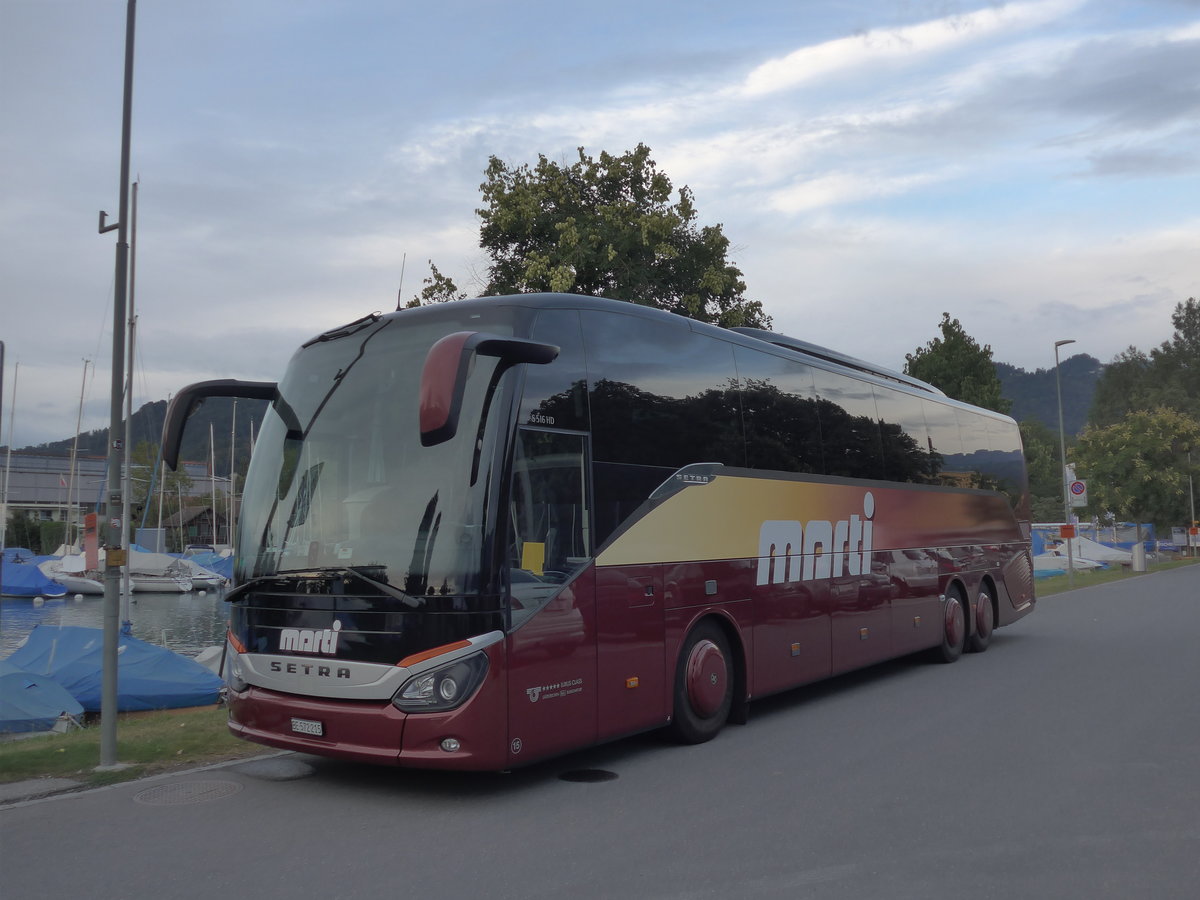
column 1137, row 469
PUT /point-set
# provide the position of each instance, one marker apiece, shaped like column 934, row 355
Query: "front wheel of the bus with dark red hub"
column 704, row 689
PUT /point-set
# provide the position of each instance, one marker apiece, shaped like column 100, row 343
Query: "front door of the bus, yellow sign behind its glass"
column 551, row 645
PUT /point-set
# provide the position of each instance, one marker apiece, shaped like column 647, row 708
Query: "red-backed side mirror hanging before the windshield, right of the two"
column 447, row 367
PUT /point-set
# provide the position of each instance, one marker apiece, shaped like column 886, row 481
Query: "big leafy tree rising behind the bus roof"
column 608, row 227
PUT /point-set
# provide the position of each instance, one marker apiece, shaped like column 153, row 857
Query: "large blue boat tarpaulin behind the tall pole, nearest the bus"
column 149, row 677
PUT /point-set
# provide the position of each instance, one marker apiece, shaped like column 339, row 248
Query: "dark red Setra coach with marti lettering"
column 482, row 533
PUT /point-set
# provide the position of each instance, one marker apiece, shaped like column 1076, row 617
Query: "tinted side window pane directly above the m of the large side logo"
column 779, row 412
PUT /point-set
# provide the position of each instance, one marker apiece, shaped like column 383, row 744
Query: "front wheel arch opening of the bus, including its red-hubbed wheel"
column 709, row 681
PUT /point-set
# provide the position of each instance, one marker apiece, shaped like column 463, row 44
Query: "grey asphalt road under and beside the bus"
column 1060, row 764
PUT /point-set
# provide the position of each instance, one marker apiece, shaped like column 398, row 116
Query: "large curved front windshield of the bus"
column 340, row 478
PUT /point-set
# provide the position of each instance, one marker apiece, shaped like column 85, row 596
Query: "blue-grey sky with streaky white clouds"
column 1031, row 167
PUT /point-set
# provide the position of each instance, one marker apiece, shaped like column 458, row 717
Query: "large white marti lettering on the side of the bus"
column 791, row 551
